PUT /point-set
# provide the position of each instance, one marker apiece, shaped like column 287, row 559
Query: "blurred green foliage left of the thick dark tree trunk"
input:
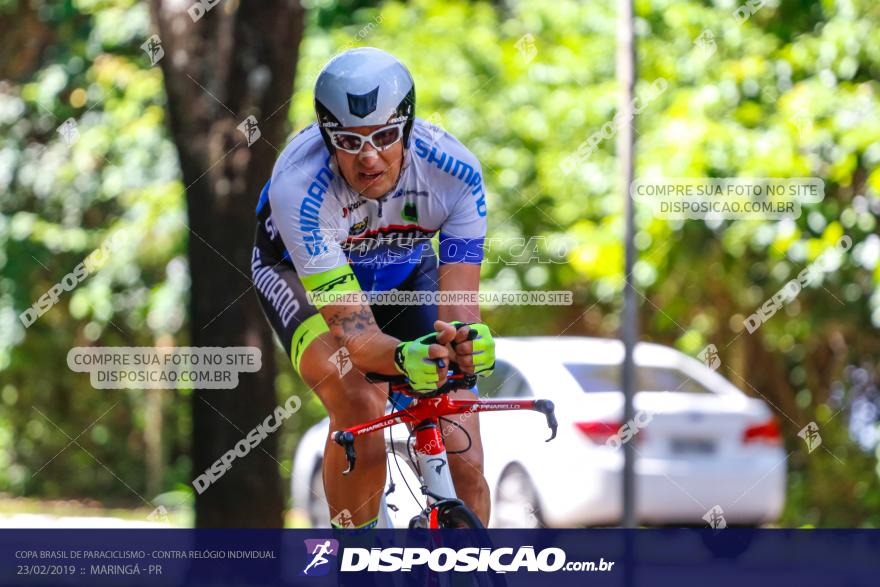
column 115, row 172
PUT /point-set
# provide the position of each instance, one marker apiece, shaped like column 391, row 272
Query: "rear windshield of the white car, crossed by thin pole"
column 593, row 377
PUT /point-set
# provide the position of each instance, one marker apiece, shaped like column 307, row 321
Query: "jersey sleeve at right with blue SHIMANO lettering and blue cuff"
column 464, row 230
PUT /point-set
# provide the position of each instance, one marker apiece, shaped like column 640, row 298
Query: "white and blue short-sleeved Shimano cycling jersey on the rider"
column 311, row 220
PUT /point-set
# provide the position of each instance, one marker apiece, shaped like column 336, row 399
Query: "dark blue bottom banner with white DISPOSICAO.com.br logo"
column 656, row 557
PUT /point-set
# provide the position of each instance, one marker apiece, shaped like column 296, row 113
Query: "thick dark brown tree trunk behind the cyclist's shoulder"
column 237, row 60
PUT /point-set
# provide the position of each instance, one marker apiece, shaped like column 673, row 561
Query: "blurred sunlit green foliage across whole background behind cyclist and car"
column 786, row 88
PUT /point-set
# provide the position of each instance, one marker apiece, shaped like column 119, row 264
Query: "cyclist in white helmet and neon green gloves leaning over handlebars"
column 351, row 206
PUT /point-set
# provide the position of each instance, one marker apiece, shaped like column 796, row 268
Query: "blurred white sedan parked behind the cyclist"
column 704, row 450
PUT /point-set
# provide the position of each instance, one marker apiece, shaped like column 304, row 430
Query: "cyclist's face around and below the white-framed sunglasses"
column 371, row 173
